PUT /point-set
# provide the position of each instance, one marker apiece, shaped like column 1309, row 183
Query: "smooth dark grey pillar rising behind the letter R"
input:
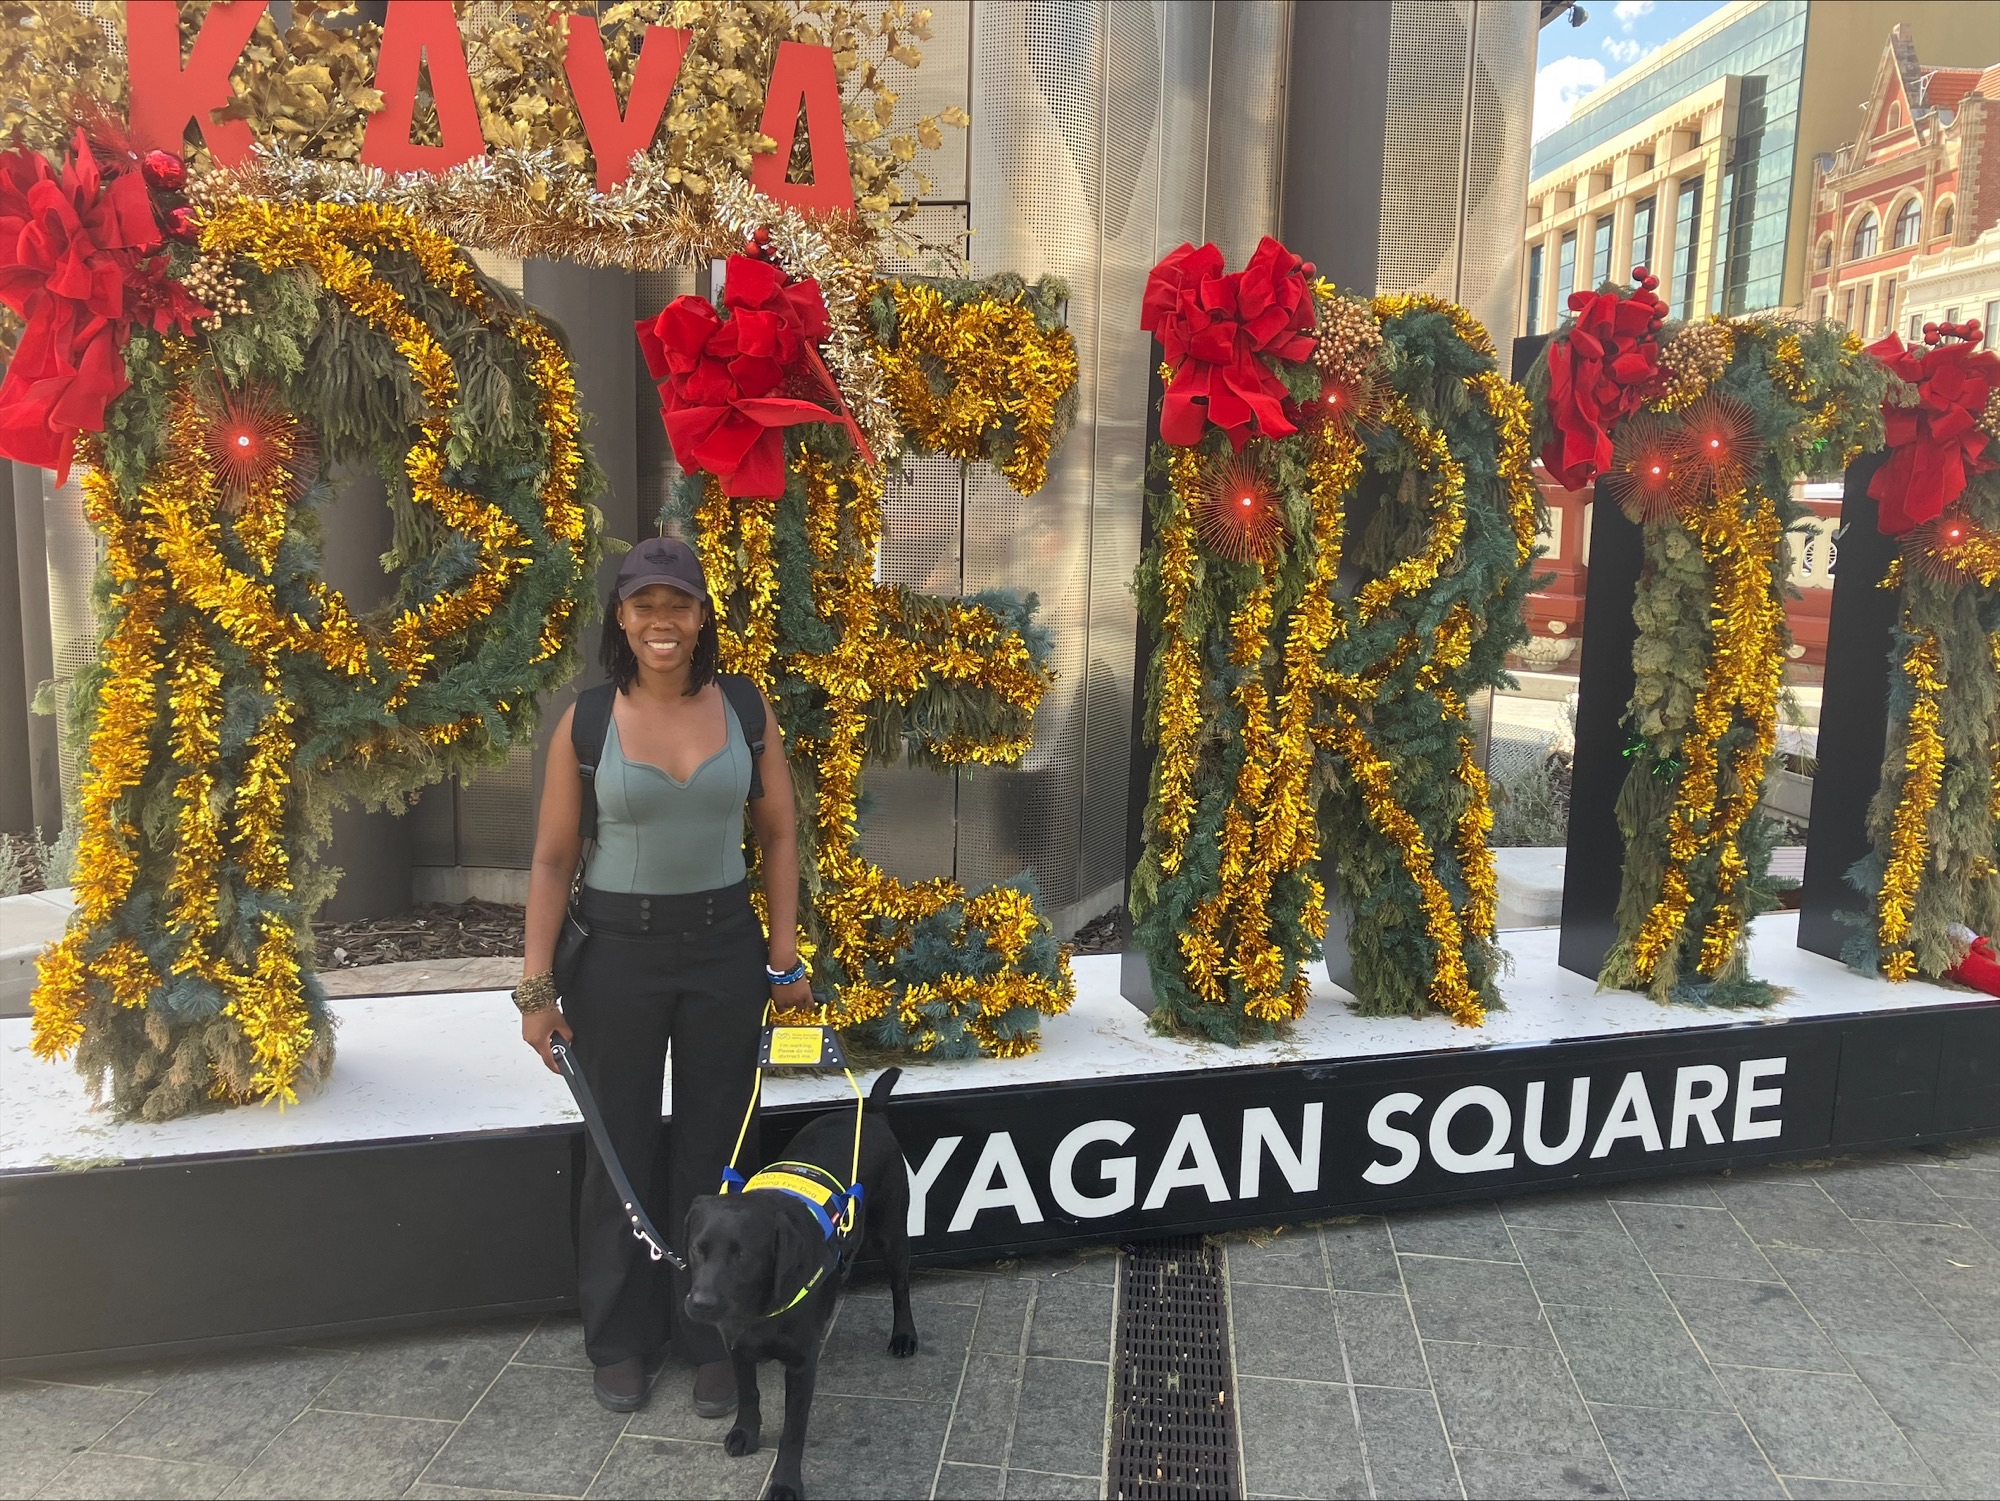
column 1331, row 207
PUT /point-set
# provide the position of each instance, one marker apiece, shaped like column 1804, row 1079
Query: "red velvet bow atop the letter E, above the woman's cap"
column 723, row 379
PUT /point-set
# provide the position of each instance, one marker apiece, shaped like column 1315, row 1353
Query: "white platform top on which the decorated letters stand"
column 455, row 1064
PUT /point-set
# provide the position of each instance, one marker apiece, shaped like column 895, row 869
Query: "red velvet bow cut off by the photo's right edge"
column 1935, row 445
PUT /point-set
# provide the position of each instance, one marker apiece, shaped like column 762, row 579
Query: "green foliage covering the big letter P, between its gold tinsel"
column 347, row 383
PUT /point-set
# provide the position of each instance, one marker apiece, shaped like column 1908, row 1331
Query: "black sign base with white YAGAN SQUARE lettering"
column 179, row 1256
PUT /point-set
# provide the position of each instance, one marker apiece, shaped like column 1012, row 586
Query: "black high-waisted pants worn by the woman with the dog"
column 661, row 974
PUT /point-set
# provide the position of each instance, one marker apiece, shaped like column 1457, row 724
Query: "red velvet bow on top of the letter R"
column 1221, row 333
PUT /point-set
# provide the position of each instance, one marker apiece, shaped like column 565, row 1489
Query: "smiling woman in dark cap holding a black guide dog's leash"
column 675, row 962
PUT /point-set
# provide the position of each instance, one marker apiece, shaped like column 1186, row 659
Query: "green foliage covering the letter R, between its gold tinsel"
column 1415, row 721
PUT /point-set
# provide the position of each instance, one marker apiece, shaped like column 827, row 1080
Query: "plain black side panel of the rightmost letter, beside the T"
column 1853, row 719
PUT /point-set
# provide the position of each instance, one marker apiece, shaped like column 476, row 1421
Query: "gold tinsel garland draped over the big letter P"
column 169, row 549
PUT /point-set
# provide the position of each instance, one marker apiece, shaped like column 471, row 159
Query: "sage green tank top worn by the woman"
column 663, row 838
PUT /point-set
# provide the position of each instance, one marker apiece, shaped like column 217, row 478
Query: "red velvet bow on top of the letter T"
column 1599, row 375
